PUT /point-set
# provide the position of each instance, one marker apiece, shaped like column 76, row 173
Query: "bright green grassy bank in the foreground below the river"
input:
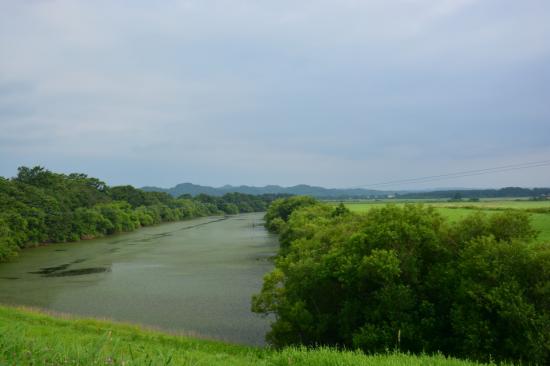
column 30, row 337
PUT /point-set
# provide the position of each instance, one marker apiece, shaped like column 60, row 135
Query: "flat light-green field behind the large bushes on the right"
column 539, row 210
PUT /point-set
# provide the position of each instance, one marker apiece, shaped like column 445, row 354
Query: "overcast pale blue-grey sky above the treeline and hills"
column 341, row 93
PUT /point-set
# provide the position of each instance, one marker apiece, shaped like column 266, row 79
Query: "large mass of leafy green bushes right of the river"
column 405, row 278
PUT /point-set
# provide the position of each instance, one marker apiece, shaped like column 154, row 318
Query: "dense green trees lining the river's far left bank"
column 39, row 206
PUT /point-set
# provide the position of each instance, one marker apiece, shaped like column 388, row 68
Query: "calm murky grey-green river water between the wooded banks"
column 195, row 277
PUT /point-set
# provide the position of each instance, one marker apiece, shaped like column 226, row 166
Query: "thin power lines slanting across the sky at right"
column 466, row 173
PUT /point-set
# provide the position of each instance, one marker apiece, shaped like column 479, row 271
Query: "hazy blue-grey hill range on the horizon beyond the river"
column 302, row 189
